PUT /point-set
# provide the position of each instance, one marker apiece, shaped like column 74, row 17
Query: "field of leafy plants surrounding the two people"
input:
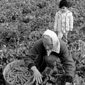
column 22, row 22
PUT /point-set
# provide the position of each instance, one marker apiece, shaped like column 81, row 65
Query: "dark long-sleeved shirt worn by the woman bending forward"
column 37, row 53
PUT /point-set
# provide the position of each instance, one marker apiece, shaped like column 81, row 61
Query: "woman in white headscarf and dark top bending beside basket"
column 46, row 50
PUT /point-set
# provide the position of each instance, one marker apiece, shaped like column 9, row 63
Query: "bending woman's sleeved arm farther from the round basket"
column 68, row 63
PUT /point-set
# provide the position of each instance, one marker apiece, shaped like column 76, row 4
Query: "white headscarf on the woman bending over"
column 55, row 40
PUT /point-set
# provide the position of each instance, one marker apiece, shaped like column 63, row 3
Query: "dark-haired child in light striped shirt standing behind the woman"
column 63, row 20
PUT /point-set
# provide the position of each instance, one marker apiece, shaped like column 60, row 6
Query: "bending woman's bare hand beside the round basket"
column 37, row 75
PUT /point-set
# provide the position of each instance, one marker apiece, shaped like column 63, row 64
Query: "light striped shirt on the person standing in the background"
column 63, row 21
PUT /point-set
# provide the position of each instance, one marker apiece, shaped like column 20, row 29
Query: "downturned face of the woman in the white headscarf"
column 47, row 43
